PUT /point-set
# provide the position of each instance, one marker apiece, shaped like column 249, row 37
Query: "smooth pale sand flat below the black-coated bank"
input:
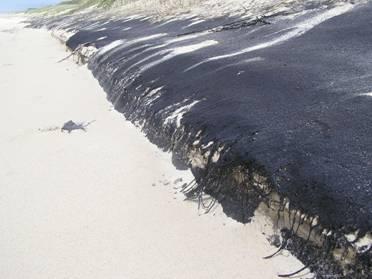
column 101, row 203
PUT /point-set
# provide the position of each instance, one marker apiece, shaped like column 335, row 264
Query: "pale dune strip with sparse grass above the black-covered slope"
column 160, row 9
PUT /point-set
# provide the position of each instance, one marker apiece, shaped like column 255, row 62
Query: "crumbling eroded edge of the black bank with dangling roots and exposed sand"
column 242, row 187
